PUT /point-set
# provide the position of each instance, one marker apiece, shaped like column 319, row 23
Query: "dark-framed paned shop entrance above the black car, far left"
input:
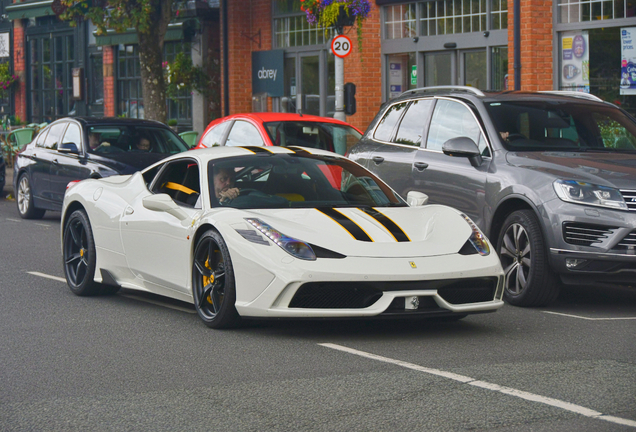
column 51, row 60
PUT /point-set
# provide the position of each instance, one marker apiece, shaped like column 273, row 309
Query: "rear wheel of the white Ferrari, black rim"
column 79, row 257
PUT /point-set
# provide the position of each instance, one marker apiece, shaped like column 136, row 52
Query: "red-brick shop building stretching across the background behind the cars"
column 564, row 44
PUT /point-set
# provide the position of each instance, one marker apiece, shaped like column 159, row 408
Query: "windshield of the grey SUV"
column 562, row 126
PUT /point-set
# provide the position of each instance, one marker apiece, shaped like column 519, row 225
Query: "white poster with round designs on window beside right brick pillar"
column 575, row 61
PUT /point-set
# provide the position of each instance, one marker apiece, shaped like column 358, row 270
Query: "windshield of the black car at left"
column 105, row 139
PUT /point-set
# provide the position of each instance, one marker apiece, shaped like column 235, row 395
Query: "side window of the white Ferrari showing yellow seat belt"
column 181, row 180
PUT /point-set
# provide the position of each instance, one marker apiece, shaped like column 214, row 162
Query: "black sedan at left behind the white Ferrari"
column 76, row 148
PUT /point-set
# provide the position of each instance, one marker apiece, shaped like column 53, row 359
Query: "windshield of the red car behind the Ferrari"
column 321, row 135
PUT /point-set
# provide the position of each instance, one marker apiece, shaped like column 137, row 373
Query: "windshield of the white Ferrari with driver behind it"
column 266, row 180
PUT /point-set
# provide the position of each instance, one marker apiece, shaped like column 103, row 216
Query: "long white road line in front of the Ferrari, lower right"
column 577, row 409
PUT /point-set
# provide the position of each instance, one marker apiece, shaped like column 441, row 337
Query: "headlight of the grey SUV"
column 589, row 194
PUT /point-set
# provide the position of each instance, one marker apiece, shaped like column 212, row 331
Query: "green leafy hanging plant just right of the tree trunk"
column 181, row 75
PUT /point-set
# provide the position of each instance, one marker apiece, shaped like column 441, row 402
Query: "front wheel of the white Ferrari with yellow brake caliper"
column 213, row 286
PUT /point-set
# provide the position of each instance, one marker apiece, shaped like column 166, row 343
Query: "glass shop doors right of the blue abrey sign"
column 309, row 83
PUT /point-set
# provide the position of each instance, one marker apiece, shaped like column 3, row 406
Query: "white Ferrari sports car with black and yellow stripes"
column 275, row 232
